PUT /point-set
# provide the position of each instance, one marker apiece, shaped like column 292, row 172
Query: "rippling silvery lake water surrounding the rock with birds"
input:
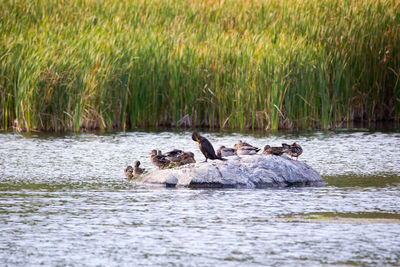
column 64, row 201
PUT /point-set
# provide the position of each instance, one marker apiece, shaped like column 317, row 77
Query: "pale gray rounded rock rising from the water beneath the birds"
column 248, row 171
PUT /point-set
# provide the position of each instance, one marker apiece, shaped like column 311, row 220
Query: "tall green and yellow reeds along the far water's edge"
column 86, row 65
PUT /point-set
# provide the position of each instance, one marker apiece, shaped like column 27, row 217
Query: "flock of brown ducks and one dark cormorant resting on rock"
column 178, row 157
